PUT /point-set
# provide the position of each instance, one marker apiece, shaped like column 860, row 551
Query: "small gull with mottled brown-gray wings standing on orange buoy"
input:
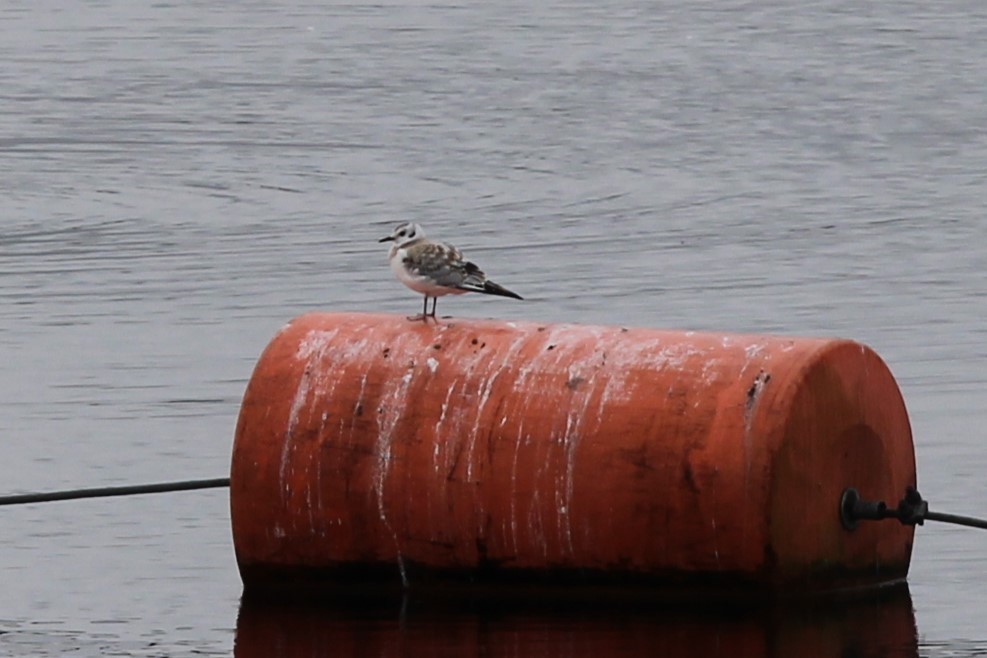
column 435, row 269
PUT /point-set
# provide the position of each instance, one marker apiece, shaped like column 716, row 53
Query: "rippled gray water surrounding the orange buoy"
column 179, row 180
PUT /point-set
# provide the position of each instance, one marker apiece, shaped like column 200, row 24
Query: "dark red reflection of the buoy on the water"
column 875, row 624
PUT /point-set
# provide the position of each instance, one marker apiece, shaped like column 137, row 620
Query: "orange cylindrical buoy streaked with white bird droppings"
column 376, row 451
